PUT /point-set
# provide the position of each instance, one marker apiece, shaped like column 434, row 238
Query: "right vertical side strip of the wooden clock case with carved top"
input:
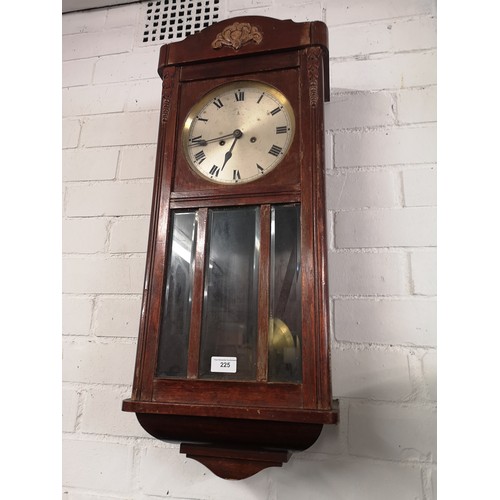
column 317, row 373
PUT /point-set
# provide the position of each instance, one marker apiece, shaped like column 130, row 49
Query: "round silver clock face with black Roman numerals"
column 238, row 132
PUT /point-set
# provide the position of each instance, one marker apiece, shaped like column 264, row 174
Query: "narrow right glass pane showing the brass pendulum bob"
column 285, row 323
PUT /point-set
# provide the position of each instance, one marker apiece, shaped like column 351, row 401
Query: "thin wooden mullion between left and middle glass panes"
column 197, row 299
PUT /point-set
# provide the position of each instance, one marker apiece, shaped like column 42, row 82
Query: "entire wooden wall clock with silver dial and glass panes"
column 233, row 349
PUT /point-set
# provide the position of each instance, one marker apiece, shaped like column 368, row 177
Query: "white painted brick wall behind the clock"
column 381, row 197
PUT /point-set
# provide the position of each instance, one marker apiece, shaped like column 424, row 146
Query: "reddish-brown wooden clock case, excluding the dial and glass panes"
column 237, row 428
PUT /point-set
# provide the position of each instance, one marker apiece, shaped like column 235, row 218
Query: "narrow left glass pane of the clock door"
column 174, row 333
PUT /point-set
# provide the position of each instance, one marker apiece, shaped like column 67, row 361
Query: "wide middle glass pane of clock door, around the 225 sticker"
column 229, row 325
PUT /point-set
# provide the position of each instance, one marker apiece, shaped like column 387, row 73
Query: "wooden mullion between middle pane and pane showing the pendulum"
column 263, row 293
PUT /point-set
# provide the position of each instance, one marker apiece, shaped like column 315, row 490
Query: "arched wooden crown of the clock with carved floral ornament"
column 246, row 35
